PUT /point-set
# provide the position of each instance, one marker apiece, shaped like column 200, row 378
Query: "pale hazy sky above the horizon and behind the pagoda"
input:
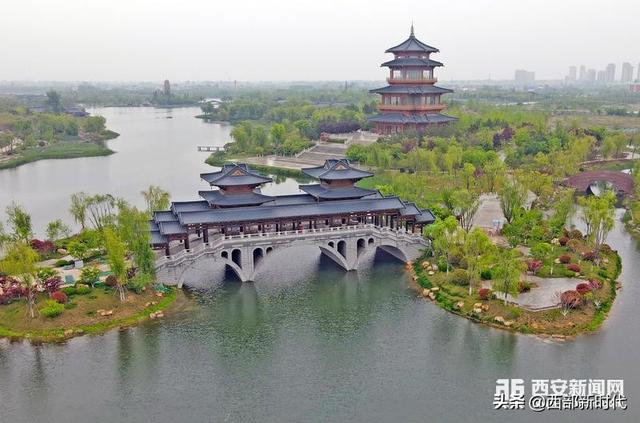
column 127, row 40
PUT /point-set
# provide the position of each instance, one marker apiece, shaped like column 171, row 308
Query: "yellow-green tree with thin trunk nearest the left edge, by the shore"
column 20, row 261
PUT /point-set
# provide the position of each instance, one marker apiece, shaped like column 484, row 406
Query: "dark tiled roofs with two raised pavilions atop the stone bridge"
column 238, row 203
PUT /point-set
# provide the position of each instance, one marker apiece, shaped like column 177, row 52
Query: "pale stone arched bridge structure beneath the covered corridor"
column 244, row 254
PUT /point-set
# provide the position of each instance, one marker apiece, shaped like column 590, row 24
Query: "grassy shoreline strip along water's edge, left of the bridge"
column 173, row 301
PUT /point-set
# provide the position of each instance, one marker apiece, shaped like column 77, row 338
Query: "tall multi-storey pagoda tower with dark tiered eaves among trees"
column 411, row 100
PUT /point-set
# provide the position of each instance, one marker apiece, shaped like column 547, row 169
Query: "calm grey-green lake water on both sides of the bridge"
column 305, row 342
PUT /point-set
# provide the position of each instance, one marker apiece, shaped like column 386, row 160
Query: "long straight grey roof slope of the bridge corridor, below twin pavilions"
column 327, row 208
